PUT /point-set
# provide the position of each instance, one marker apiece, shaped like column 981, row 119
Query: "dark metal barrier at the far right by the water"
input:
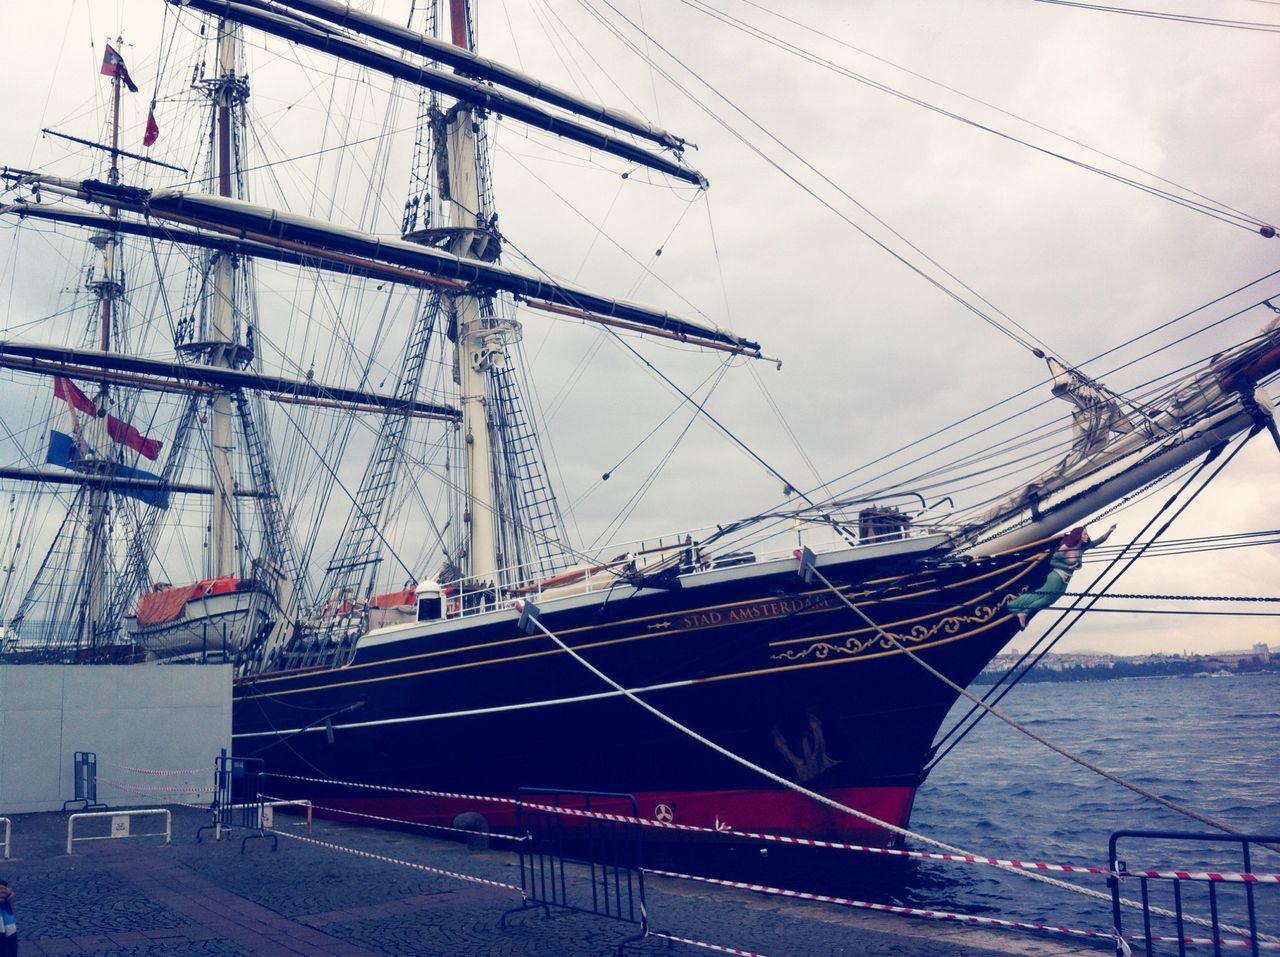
column 1229, row 896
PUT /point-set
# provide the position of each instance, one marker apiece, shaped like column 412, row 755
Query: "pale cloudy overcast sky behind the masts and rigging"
column 874, row 356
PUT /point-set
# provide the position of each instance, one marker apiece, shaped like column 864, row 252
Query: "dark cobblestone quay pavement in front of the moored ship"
column 139, row 899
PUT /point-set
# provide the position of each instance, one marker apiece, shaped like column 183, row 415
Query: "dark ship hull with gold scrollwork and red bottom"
column 774, row 670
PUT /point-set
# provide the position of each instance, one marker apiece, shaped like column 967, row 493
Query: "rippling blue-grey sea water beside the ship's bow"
column 1210, row 744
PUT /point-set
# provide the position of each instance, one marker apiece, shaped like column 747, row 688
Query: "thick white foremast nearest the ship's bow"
column 481, row 344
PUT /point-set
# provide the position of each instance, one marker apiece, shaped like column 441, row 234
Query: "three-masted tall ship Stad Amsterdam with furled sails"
column 342, row 419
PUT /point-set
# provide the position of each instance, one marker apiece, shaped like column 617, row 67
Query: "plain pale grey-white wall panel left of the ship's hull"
column 173, row 718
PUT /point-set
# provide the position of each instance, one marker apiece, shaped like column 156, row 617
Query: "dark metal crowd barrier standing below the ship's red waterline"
column 580, row 864
